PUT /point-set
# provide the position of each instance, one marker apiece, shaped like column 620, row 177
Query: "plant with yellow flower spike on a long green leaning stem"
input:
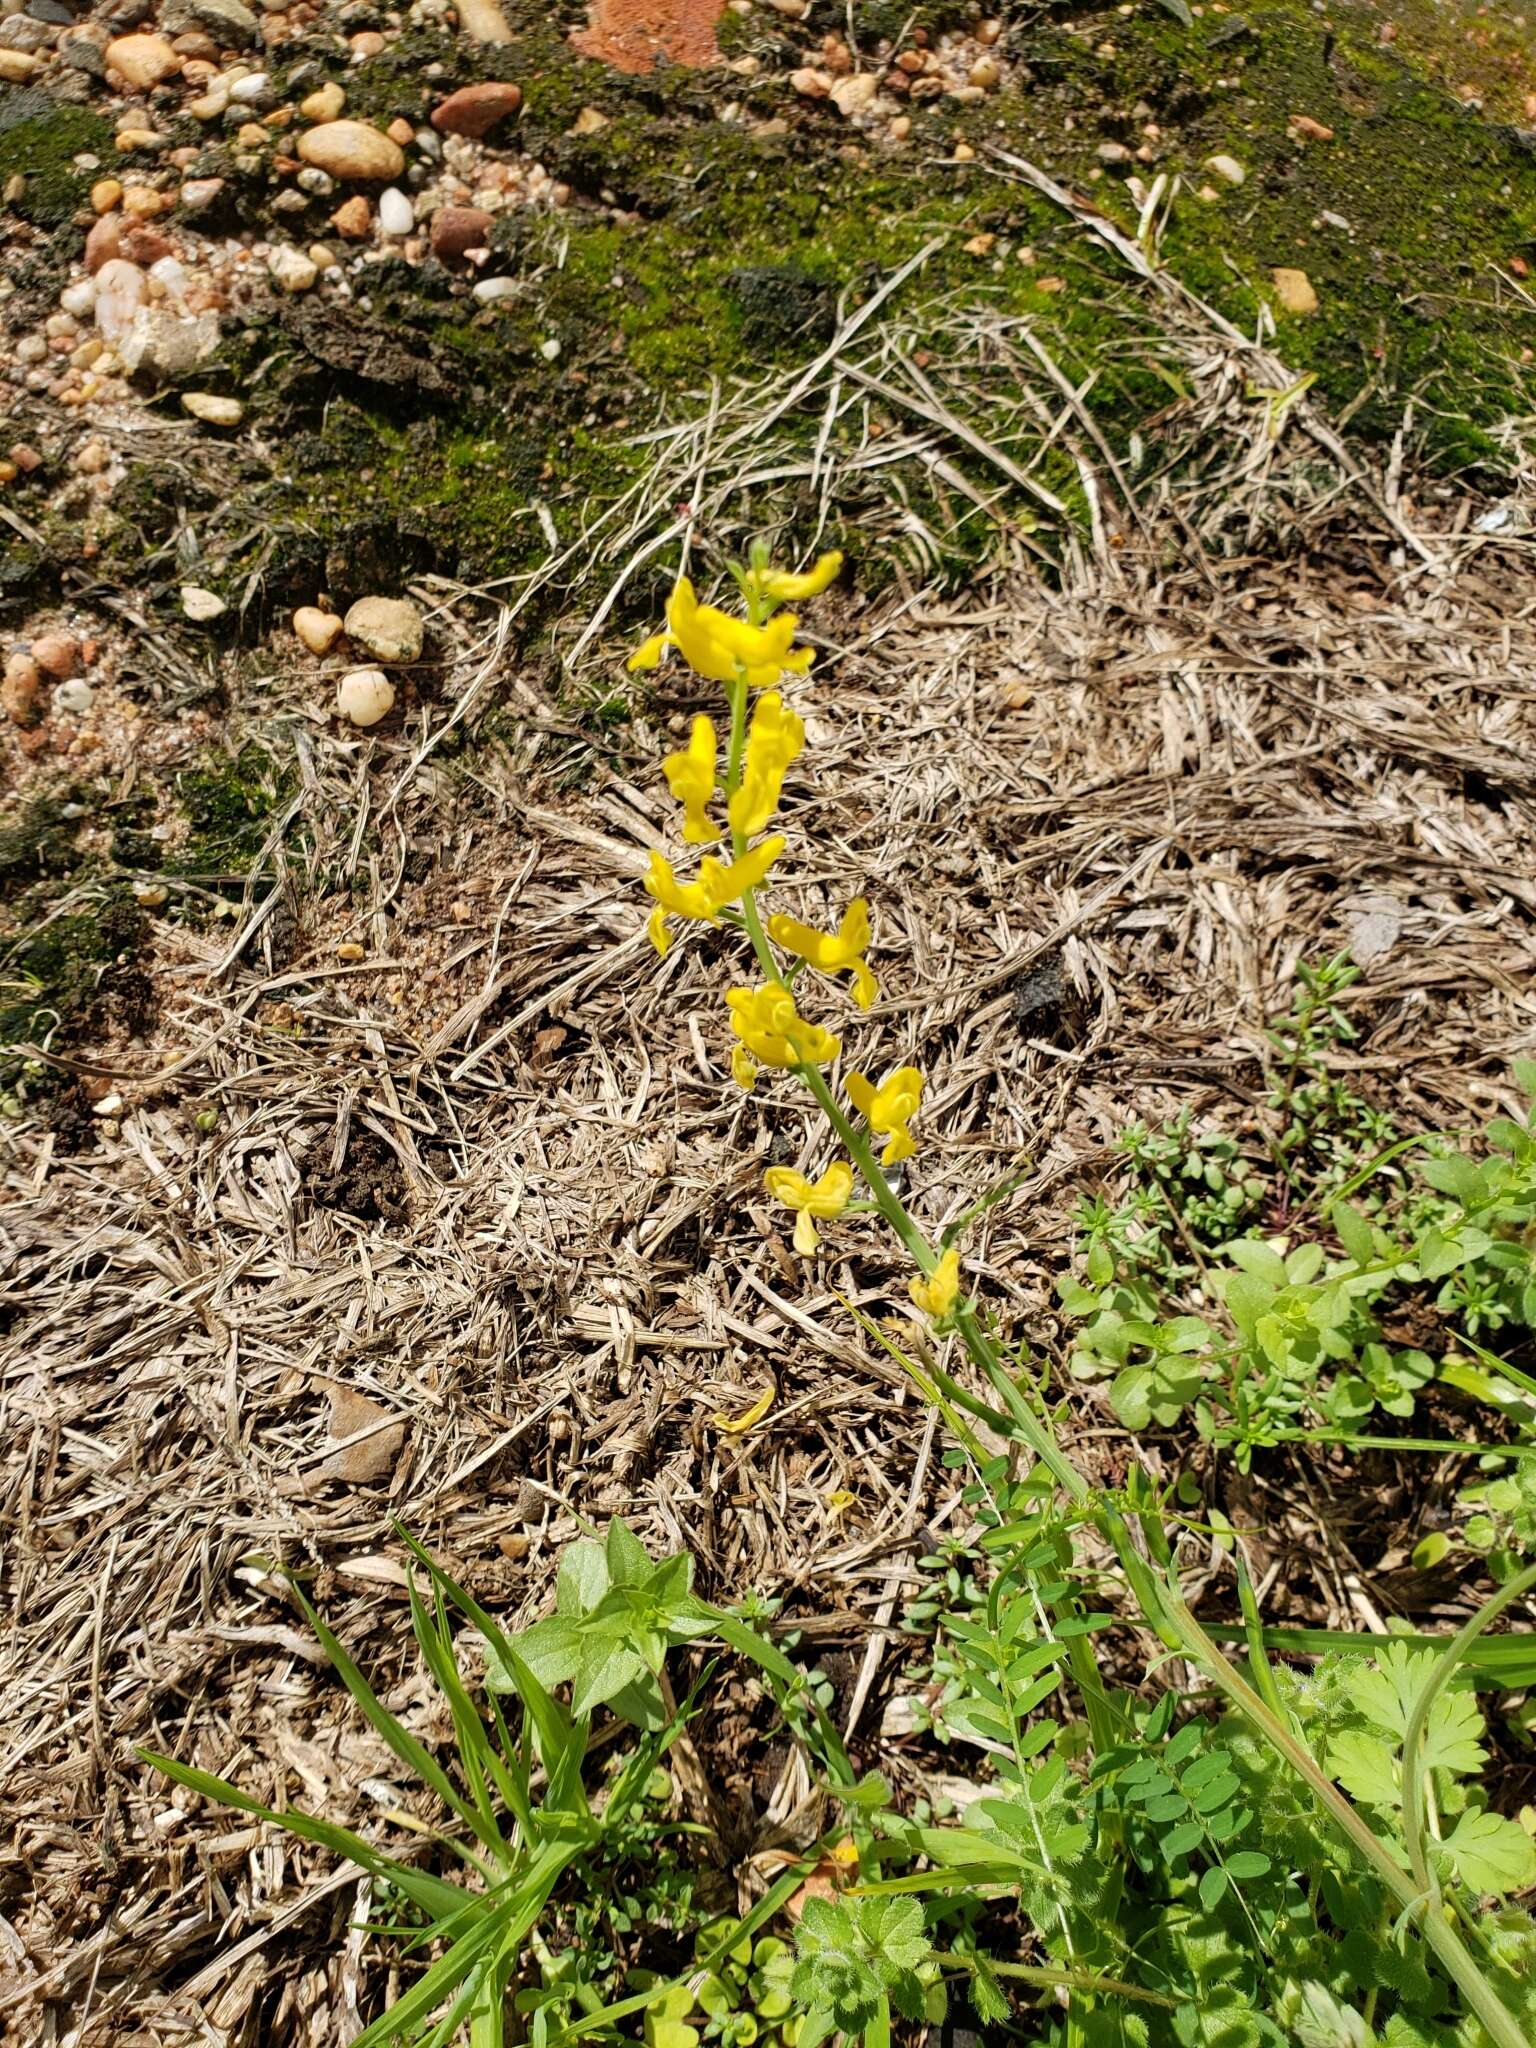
column 802, row 990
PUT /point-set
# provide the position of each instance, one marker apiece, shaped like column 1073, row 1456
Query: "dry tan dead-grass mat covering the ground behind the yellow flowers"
column 386, row 1179
